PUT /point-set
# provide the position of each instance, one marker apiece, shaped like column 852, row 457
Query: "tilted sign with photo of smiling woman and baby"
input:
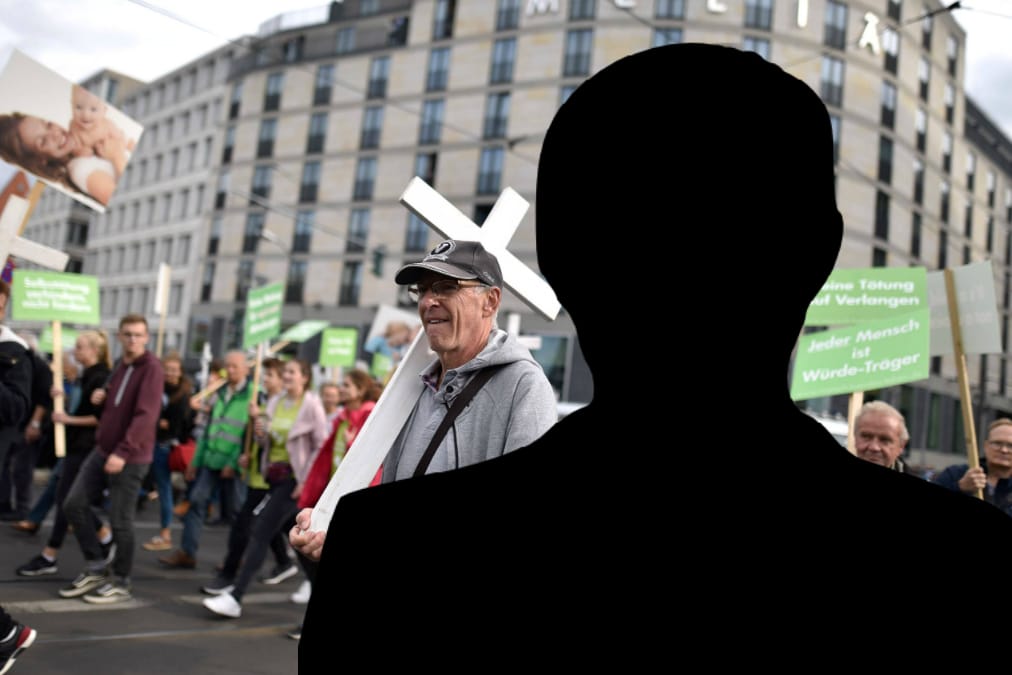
column 68, row 137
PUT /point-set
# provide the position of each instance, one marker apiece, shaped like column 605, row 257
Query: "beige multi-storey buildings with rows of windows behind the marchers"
column 316, row 126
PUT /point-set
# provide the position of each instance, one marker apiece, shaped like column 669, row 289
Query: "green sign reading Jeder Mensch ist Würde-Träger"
column 858, row 359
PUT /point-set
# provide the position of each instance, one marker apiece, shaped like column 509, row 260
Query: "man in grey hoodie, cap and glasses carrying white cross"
column 459, row 291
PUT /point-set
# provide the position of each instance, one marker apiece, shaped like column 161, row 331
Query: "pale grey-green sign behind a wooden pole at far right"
column 979, row 323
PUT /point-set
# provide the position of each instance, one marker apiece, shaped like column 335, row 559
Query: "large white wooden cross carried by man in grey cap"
column 399, row 397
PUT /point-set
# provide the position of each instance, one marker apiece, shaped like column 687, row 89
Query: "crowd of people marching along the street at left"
column 247, row 452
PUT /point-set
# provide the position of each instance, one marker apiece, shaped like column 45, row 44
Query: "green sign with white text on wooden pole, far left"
column 40, row 296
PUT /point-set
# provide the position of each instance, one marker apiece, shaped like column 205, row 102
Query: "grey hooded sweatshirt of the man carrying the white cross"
column 515, row 408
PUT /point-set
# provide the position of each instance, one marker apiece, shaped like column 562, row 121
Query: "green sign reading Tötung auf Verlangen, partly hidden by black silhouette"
column 854, row 296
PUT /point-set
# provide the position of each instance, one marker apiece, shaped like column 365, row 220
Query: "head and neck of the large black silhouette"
column 696, row 184
